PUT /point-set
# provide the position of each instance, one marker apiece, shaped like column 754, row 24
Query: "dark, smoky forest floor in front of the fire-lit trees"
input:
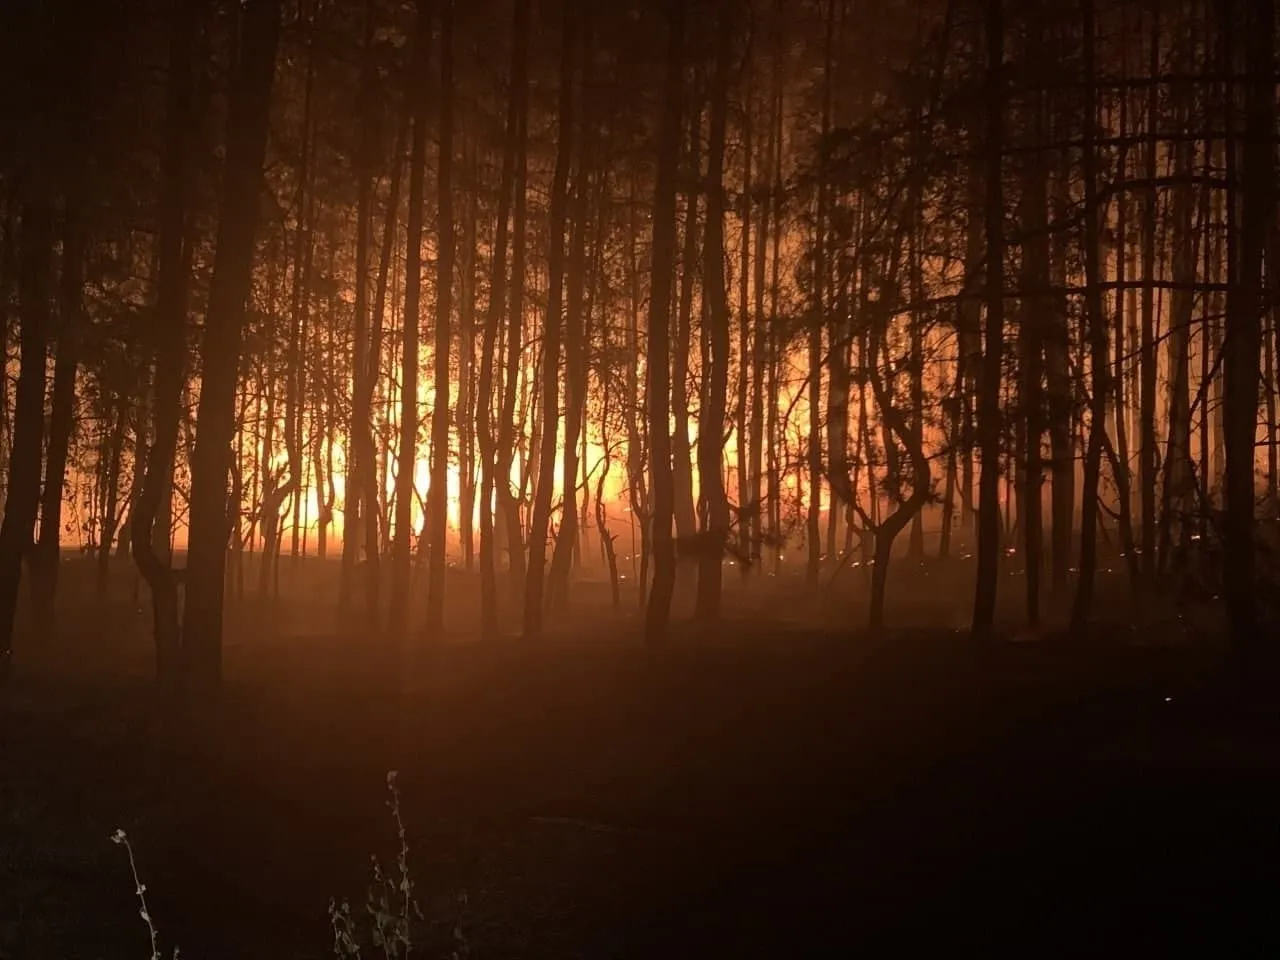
column 774, row 790
